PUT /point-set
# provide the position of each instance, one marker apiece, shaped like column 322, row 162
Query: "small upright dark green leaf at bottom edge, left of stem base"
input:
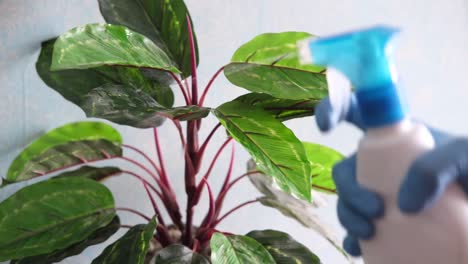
column 131, row 248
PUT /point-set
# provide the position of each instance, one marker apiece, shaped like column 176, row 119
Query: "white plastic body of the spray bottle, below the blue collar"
column 435, row 236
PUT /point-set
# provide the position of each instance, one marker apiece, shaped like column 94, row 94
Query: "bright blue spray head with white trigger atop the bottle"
column 362, row 56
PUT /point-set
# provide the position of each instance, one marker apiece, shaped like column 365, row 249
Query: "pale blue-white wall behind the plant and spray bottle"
column 432, row 60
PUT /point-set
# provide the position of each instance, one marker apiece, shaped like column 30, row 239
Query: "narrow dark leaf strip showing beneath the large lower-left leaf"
column 99, row 236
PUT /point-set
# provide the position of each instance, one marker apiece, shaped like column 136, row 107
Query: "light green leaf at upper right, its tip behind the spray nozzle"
column 269, row 64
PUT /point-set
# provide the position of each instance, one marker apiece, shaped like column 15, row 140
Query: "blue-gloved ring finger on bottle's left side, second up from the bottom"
column 355, row 224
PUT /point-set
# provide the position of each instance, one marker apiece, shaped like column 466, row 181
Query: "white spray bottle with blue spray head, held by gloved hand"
column 391, row 143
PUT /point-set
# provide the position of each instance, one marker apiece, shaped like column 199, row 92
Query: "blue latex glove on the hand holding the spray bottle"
column 427, row 178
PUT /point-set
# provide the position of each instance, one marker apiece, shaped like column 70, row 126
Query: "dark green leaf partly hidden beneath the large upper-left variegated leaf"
column 74, row 85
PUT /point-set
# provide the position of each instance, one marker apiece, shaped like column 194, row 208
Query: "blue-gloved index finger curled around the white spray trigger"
column 327, row 118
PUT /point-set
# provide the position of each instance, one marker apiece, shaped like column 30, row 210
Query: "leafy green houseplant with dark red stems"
column 123, row 72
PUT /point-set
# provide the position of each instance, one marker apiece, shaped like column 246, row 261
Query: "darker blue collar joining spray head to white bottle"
column 380, row 106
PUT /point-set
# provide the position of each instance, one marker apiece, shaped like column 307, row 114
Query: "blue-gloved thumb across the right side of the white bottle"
column 430, row 174
